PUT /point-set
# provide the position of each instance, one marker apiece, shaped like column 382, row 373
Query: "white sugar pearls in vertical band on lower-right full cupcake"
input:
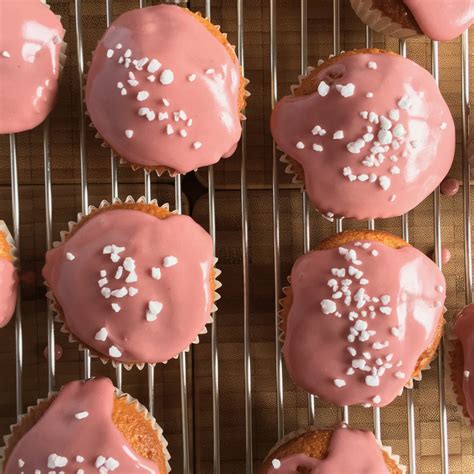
column 349, row 298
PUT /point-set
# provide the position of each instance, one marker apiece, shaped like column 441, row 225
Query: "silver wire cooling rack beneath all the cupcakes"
column 187, row 440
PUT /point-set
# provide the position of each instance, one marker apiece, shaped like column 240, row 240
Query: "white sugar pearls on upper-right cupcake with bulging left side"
column 384, row 145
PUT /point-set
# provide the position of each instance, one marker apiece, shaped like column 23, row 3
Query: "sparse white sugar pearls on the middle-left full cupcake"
column 121, row 283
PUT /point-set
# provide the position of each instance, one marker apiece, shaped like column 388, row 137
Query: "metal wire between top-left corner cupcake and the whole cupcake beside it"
column 82, row 141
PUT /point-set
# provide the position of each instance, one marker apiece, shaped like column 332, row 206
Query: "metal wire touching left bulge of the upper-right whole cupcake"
column 276, row 226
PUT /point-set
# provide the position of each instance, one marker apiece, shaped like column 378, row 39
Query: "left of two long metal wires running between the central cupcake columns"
column 245, row 256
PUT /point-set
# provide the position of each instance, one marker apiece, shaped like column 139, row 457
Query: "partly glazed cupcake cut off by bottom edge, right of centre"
column 332, row 450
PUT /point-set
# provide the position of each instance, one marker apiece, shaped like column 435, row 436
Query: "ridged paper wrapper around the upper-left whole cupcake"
column 161, row 170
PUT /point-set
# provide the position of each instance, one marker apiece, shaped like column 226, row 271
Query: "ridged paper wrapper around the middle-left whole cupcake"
column 58, row 312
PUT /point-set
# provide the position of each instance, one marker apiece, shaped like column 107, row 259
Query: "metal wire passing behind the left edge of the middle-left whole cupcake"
column 48, row 206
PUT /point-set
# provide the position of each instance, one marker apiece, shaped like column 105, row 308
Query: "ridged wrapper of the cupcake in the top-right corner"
column 379, row 22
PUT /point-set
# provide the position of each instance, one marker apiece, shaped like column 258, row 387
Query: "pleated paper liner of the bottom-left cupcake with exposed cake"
column 118, row 393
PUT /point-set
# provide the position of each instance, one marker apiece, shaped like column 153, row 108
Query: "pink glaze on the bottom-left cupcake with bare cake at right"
column 59, row 432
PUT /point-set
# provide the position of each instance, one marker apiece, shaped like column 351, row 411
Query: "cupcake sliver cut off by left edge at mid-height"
column 8, row 276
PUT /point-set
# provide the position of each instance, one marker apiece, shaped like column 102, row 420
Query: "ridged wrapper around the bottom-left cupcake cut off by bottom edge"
column 36, row 411
